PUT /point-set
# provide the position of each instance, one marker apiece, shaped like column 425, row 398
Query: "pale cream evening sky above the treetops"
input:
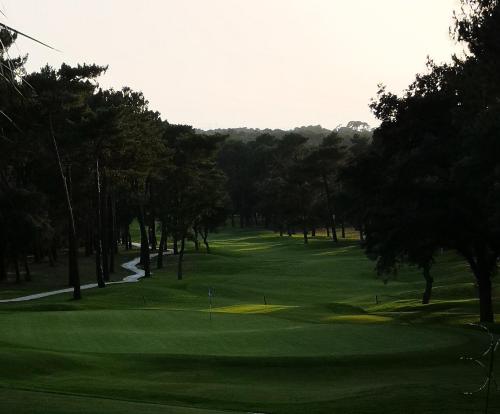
column 235, row 63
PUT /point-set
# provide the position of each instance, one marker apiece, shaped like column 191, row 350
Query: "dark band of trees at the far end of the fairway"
column 290, row 185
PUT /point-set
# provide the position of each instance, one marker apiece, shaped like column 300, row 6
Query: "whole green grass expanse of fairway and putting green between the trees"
column 322, row 344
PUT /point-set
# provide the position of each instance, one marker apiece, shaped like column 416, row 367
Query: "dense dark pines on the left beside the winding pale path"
column 78, row 164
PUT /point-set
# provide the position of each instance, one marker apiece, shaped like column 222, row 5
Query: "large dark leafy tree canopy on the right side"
column 433, row 161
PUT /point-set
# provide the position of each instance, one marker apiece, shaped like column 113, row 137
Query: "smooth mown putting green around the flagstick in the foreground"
column 228, row 334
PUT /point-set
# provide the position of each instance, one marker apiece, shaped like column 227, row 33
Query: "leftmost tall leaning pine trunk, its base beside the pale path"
column 74, row 275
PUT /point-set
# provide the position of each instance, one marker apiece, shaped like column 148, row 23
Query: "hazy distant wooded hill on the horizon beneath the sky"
column 315, row 133
